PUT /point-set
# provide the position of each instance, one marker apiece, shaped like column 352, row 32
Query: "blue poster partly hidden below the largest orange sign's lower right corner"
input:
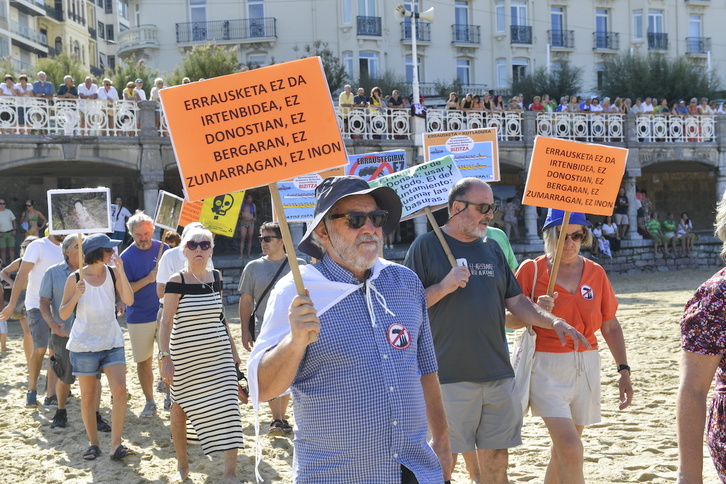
column 298, row 195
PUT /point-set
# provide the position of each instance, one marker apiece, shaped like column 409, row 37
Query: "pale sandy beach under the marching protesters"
column 635, row 445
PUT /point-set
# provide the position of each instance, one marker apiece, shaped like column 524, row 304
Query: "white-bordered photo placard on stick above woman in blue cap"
column 83, row 210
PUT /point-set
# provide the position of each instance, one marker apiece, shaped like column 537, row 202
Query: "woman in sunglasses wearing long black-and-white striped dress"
column 198, row 359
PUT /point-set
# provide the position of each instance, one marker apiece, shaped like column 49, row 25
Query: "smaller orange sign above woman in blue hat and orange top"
column 573, row 176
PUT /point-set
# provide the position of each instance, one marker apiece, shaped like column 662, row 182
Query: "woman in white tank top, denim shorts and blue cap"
column 96, row 342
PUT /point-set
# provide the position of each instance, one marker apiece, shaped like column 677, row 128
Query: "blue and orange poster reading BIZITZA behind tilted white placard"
column 475, row 151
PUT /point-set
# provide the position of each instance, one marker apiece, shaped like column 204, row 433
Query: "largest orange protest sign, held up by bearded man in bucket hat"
column 253, row 128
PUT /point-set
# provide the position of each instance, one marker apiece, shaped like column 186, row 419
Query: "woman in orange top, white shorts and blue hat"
column 565, row 382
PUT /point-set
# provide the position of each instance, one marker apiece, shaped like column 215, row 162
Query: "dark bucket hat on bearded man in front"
column 335, row 188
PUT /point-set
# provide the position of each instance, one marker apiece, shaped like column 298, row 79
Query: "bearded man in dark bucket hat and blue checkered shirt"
column 367, row 391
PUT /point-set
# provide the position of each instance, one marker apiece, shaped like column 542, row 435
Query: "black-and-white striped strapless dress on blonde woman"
column 205, row 380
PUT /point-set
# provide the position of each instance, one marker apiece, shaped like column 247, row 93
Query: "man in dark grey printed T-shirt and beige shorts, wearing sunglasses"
column 467, row 306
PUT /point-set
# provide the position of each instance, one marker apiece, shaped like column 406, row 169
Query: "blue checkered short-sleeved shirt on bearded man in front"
column 359, row 405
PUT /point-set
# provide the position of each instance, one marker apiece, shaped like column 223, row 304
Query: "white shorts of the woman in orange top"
column 566, row 385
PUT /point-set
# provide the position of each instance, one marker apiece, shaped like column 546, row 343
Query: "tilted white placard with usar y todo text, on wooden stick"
column 423, row 188
